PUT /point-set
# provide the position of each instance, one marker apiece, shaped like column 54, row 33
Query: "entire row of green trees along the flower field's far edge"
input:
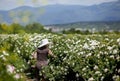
column 16, row 28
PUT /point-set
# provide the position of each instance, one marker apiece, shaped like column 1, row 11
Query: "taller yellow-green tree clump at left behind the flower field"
column 16, row 28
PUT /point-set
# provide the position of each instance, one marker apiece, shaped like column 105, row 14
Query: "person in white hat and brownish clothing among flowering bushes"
column 42, row 53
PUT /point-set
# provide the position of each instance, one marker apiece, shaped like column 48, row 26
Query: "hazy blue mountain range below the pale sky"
column 61, row 14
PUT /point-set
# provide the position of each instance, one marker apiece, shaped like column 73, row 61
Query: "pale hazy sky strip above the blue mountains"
column 10, row 4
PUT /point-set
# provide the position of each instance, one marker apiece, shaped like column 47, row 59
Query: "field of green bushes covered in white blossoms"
column 92, row 57
